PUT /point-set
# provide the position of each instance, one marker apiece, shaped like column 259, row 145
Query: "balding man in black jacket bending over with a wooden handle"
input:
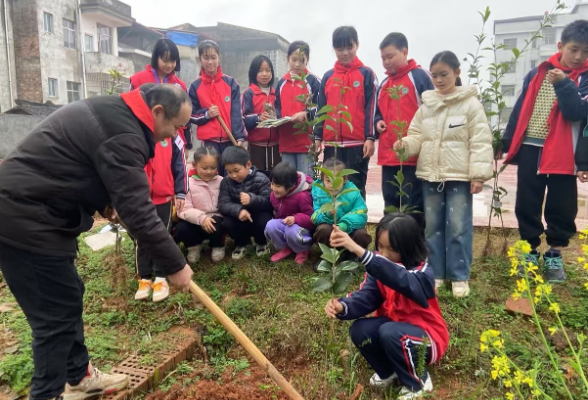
column 88, row 156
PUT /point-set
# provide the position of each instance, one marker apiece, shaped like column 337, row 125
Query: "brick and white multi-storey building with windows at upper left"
column 61, row 50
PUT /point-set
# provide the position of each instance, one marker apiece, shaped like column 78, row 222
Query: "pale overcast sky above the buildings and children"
column 430, row 25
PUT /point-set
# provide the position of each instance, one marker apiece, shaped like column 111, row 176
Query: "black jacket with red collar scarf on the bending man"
column 84, row 157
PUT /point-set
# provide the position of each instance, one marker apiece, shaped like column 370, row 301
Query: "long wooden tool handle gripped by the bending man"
column 245, row 342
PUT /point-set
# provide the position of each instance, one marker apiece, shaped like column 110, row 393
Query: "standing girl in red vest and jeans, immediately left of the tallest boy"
column 294, row 145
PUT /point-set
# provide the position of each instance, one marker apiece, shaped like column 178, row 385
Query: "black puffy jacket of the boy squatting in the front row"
column 257, row 185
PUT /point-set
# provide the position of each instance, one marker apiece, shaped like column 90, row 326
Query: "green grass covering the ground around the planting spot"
column 274, row 306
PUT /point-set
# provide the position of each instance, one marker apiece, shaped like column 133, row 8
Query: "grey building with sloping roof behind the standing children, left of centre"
column 239, row 45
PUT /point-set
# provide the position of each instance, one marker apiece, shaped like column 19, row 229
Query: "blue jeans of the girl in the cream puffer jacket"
column 449, row 228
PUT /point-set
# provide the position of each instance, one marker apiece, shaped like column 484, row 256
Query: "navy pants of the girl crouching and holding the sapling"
column 391, row 347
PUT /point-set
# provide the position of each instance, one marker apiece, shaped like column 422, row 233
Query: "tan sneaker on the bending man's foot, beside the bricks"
column 96, row 384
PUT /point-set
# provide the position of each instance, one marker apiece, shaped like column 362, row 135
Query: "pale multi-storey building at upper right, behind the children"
column 515, row 32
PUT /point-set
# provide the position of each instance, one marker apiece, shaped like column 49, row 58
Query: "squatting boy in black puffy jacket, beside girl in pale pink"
column 244, row 202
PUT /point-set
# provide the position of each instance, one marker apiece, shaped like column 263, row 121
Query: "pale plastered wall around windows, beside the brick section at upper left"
column 57, row 61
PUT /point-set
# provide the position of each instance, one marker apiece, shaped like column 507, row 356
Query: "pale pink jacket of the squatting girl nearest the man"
column 201, row 200
